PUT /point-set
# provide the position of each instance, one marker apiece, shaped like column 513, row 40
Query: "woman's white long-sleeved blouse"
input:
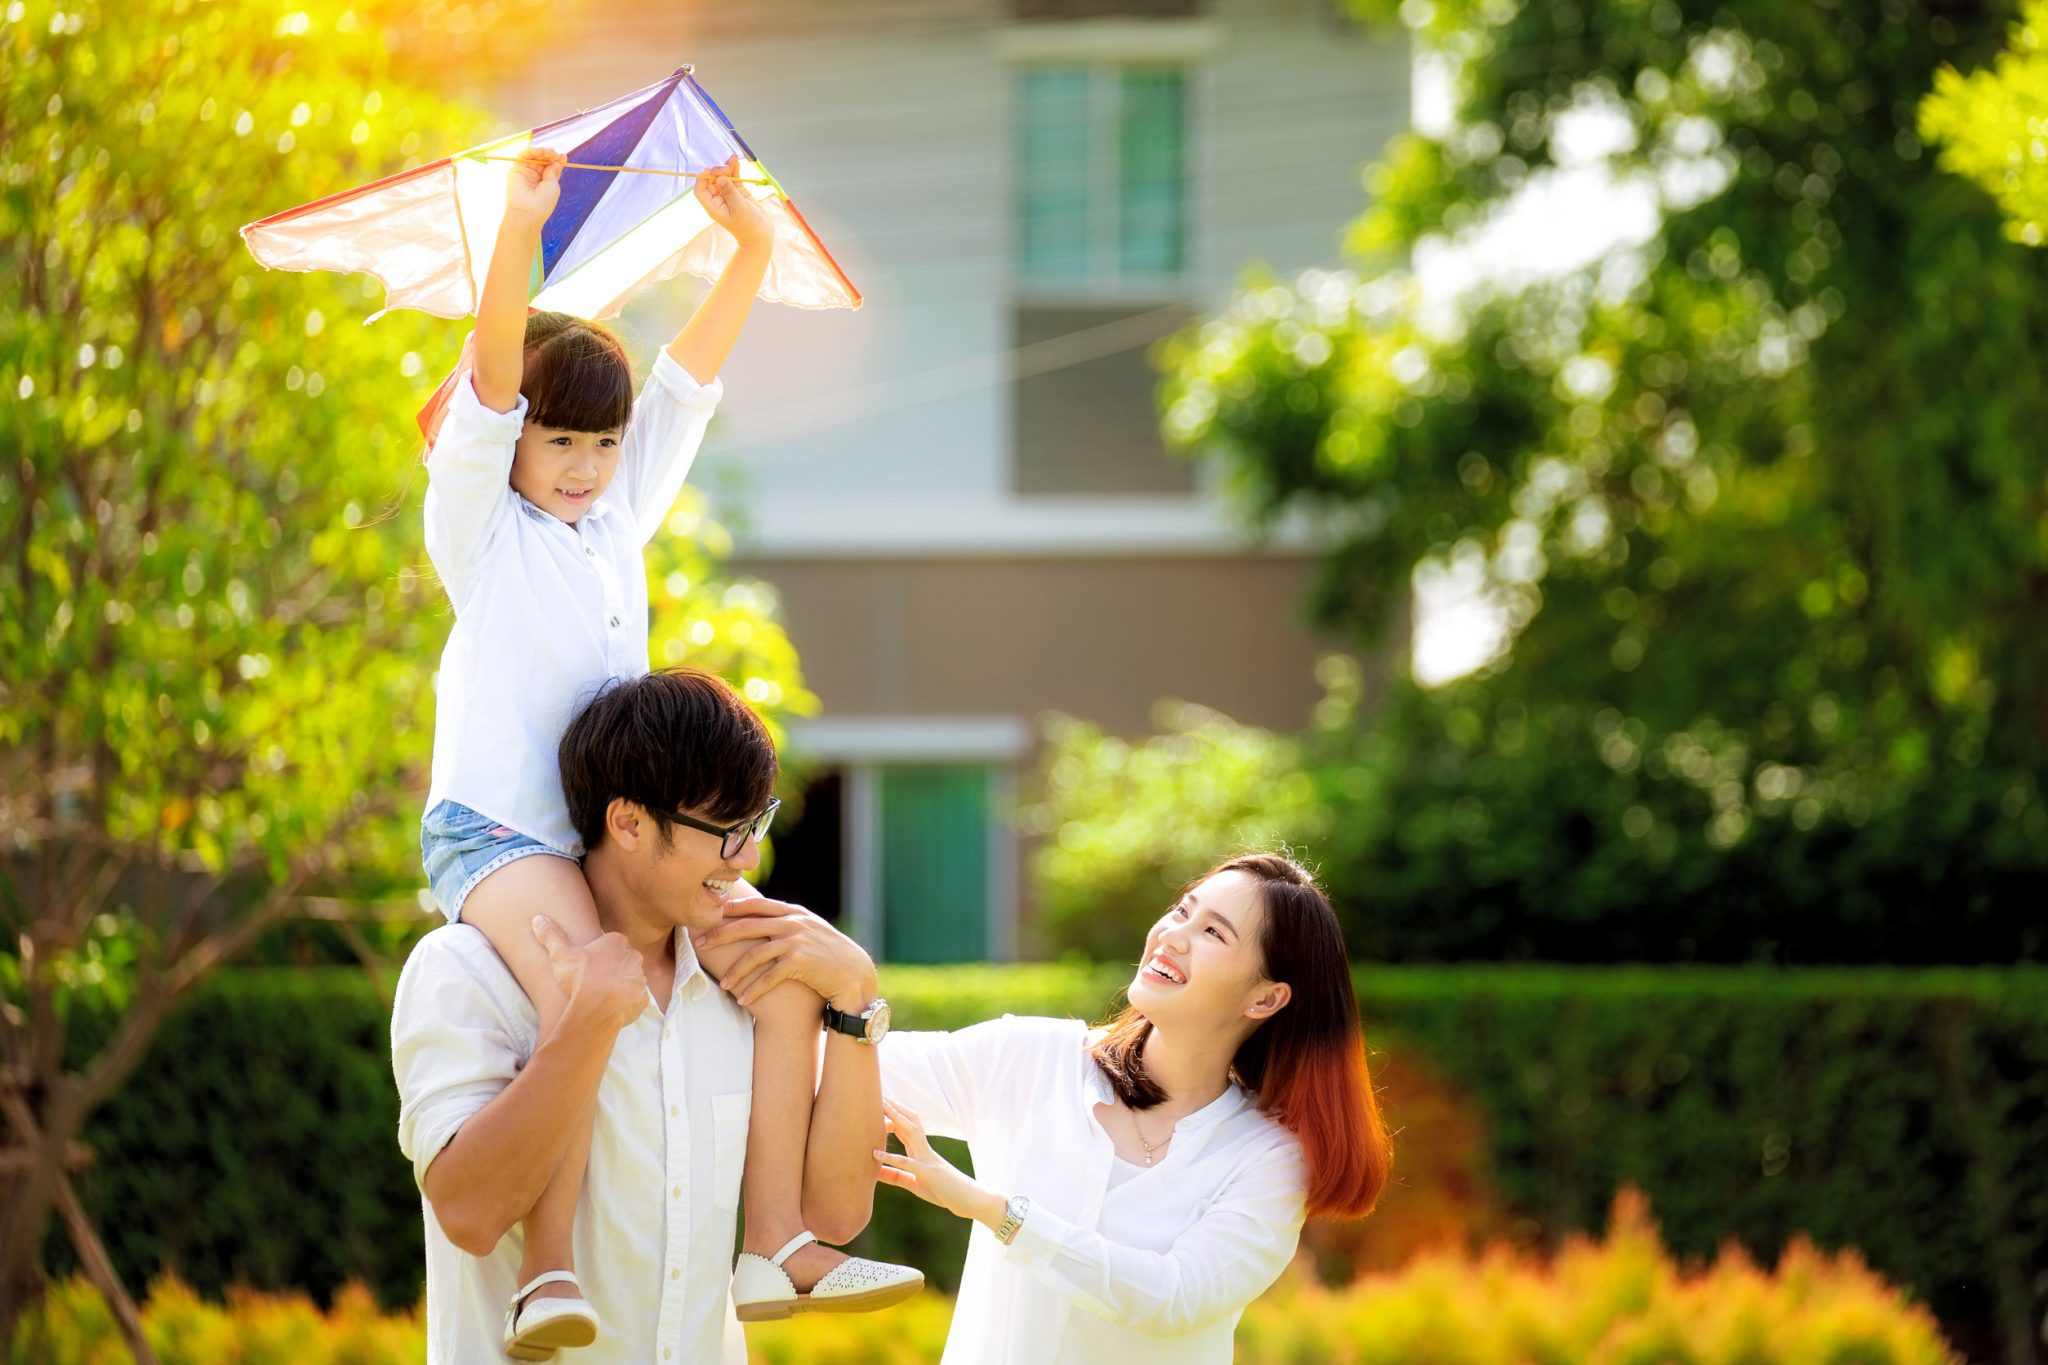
column 1158, row 1268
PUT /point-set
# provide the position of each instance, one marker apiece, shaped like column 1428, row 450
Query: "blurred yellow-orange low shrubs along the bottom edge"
column 1613, row 1303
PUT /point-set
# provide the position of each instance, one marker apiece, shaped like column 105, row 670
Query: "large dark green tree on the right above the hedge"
column 1756, row 492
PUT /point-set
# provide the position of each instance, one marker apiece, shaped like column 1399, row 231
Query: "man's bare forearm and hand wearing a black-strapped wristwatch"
column 847, row 1118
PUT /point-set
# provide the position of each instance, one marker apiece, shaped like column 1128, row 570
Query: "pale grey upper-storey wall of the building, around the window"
column 894, row 130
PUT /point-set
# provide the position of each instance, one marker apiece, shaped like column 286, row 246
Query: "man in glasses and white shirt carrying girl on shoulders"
column 646, row 1037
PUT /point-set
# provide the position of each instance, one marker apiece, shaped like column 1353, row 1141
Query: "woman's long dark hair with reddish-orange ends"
column 1308, row 1063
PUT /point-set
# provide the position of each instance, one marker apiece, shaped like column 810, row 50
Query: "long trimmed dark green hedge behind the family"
column 1897, row 1112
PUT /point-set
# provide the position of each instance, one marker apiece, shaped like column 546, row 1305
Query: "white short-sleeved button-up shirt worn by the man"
column 658, row 1217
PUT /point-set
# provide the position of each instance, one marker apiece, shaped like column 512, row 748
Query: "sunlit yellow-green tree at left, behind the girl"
column 216, row 617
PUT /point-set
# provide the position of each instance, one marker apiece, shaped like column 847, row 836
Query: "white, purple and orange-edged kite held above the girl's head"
column 427, row 234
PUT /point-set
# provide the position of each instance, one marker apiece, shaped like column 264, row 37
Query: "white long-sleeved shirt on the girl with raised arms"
column 546, row 613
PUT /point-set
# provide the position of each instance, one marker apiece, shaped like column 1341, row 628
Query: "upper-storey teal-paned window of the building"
column 1103, row 175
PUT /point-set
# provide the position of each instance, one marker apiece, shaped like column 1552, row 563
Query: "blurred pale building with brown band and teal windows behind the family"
column 962, row 490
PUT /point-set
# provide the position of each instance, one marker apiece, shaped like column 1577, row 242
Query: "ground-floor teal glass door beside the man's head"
column 935, row 863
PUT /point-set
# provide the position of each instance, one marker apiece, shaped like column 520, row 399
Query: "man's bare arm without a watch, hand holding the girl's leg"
column 497, row 1165
